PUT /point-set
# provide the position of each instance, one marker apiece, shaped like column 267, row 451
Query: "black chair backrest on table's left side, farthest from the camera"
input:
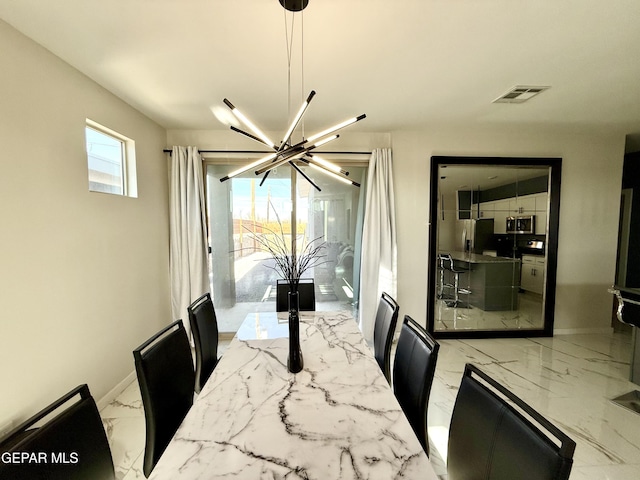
column 204, row 327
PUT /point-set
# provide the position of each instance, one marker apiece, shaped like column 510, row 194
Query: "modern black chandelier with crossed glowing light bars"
column 287, row 151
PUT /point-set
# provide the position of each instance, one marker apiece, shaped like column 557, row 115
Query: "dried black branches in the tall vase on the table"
column 289, row 264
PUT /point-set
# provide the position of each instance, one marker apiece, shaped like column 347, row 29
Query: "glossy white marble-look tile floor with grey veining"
column 569, row 378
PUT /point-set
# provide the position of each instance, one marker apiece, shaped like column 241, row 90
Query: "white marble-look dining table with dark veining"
column 336, row 419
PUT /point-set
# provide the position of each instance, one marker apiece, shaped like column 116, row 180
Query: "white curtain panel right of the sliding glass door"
column 378, row 272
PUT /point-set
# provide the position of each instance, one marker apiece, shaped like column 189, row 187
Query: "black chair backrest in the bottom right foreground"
column 493, row 436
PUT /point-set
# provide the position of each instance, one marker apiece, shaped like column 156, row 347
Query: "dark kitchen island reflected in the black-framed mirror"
column 493, row 282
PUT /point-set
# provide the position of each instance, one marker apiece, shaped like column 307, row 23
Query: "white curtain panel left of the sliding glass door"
column 188, row 232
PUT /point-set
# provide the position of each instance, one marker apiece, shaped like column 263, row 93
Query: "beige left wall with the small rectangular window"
column 83, row 276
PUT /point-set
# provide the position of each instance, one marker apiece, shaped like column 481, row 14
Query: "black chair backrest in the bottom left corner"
column 70, row 445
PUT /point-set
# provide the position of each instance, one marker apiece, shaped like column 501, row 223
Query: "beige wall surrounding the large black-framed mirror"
column 589, row 204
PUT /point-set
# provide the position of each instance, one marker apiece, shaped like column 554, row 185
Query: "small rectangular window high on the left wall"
column 111, row 161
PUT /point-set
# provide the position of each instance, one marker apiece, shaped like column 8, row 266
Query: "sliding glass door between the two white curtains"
column 241, row 211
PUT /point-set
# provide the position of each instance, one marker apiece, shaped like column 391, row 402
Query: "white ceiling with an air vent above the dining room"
column 406, row 64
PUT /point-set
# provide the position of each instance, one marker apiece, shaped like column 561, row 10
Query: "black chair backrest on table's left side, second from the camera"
column 166, row 377
